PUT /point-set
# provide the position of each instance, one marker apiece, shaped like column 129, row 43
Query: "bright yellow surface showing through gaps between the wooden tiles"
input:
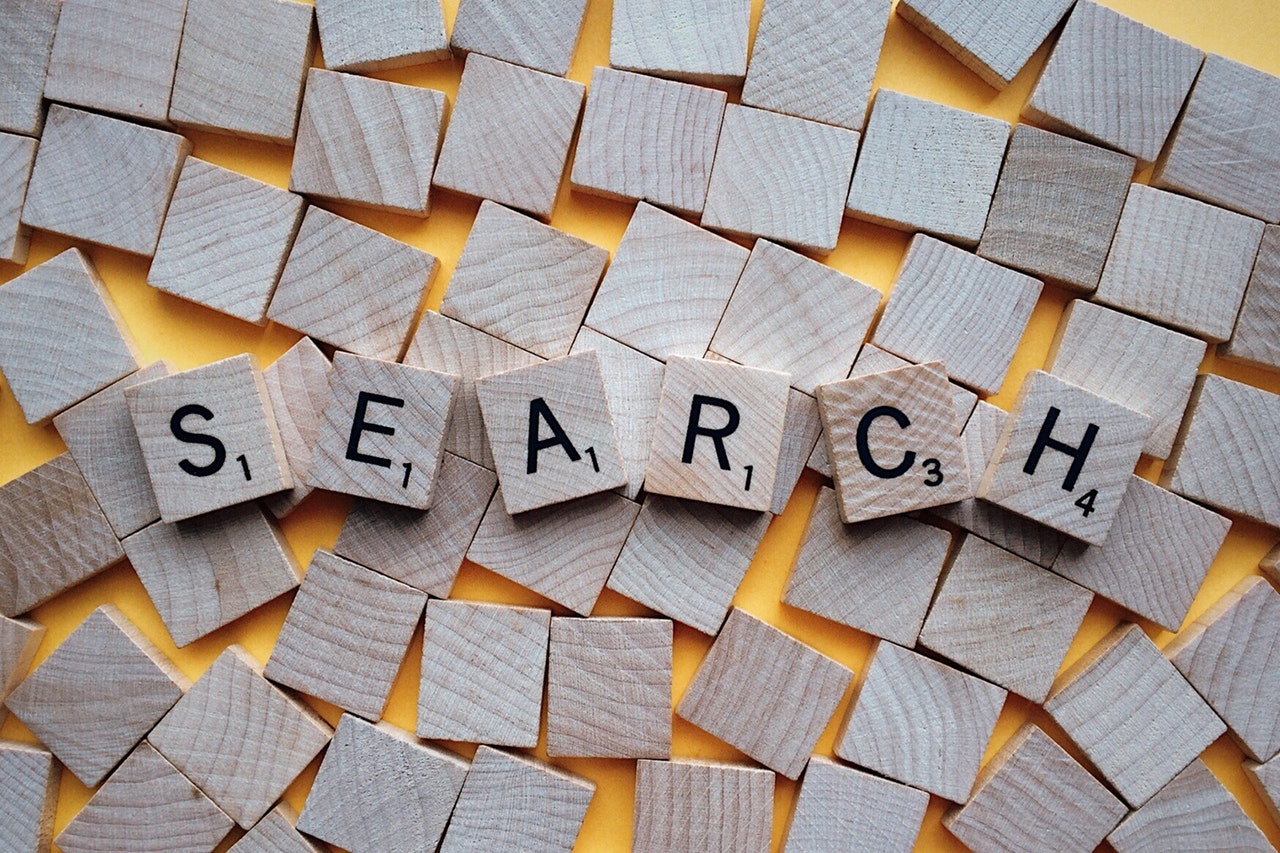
column 190, row 336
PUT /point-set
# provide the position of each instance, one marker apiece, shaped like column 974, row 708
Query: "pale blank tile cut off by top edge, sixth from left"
column 691, row 40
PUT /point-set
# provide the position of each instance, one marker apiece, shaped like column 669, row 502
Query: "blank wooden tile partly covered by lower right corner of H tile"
column 1154, row 528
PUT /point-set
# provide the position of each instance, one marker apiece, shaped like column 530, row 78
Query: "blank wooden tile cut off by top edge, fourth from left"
column 380, row 37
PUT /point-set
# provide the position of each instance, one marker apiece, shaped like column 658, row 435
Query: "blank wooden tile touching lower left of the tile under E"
column 346, row 636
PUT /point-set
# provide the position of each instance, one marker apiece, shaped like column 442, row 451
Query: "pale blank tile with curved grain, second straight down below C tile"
column 921, row 723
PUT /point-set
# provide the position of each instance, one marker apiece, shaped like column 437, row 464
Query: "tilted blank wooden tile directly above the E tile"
column 351, row 286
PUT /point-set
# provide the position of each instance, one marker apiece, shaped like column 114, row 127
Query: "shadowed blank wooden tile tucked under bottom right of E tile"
column 422, row 549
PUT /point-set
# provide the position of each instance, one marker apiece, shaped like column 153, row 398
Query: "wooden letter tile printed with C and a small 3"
column 879, row 427
